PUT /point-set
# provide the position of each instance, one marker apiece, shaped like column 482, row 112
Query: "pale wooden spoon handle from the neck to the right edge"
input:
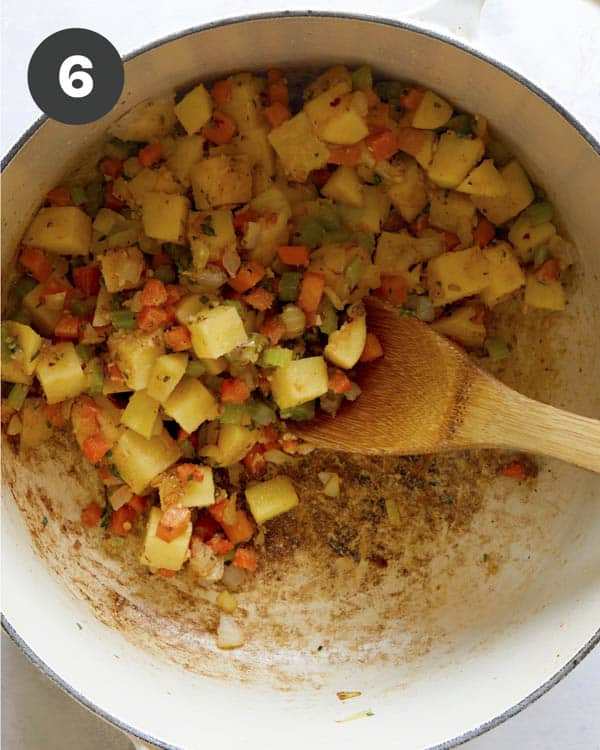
column 497, row 416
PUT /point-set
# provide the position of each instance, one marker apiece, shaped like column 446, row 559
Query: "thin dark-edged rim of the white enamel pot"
column 441, row 37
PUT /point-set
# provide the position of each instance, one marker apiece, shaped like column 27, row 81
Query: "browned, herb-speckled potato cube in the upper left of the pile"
column 221, row 181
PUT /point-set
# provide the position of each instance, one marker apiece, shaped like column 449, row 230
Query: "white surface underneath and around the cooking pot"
column 554, row 44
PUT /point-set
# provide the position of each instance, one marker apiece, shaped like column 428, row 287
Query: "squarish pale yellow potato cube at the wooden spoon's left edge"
column 300, row 381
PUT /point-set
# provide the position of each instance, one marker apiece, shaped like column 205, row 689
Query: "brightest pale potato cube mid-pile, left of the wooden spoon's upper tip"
column 217, row 332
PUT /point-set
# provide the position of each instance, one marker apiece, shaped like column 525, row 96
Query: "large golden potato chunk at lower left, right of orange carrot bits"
column 139, row 460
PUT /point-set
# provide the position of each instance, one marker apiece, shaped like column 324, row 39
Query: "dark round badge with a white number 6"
column 75, row 76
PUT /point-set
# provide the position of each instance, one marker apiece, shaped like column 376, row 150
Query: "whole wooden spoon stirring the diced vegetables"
column 426, row 396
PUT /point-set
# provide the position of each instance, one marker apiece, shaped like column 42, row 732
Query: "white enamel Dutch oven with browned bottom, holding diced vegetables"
column 440, row 649
